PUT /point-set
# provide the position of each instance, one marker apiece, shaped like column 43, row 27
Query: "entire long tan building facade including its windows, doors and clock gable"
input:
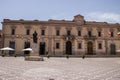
column 61, row 37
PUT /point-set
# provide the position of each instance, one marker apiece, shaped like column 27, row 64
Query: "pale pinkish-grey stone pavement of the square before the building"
column 12, row 68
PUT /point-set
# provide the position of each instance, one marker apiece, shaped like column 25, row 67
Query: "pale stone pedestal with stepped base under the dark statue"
column 34, row 55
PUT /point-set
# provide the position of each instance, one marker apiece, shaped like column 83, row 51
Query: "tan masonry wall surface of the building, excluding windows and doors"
column 51, row 39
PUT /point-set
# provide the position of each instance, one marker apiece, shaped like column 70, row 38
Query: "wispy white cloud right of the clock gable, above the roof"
column 105, row 17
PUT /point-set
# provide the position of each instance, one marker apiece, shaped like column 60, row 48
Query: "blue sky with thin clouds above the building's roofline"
column 92, row 10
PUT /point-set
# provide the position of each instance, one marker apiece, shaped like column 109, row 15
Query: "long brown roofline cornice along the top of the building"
column 58, row 22
